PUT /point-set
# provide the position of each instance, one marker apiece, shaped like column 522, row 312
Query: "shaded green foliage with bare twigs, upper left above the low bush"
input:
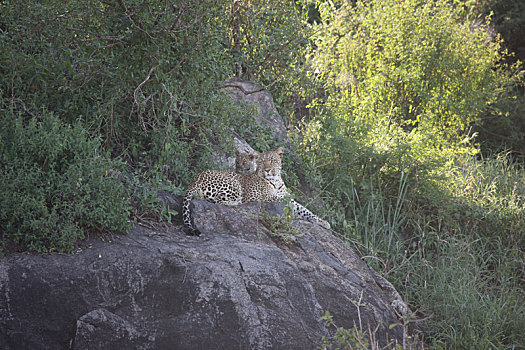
column 142, row 75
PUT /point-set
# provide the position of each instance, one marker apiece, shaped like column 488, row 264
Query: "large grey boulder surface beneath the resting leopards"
column 233, row 287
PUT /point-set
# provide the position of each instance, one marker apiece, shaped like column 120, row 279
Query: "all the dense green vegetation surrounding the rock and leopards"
column 408, row 116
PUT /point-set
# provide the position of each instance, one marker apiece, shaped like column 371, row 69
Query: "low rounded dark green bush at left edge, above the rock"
column 57, row 185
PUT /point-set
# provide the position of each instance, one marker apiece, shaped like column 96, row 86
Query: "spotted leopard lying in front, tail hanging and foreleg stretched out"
column 229, row 188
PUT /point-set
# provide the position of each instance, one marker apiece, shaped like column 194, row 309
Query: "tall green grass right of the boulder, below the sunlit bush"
column 460, row 266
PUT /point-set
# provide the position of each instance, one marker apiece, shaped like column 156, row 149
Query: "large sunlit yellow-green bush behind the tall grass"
column 405, row 80
